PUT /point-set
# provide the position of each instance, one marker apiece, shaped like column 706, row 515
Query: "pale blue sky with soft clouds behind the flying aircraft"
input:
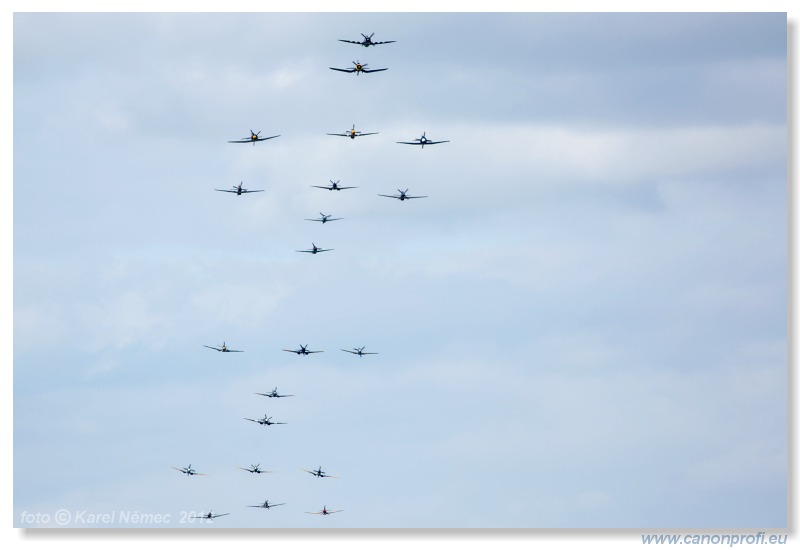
column 583, row 325
